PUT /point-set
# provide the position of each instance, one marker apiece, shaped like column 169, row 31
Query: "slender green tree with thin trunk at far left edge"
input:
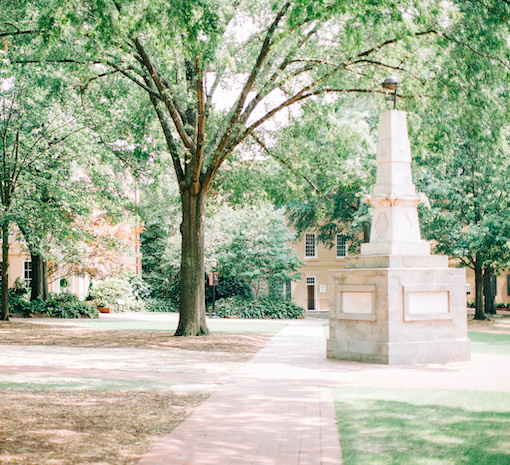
column 33, row 131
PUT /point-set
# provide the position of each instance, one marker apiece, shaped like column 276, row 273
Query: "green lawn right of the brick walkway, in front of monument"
column 415, row 427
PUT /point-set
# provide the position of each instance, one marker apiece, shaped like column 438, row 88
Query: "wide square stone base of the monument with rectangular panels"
column 403, row 315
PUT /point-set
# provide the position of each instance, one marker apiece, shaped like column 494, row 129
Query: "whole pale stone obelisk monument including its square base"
column 396, row 303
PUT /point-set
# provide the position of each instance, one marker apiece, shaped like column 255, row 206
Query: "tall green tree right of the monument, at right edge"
column 460, row 139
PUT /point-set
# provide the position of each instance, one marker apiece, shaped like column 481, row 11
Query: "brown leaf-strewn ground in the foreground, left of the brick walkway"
column 98, row 428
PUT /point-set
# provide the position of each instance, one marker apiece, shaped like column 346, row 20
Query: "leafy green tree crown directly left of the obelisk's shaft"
column 326, row 158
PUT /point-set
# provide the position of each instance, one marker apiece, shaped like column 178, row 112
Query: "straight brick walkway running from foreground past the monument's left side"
column 277, row 411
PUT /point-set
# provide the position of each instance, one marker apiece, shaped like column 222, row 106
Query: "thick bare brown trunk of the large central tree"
column 192, row 320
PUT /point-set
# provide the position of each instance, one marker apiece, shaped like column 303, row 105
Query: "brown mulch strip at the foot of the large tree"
column 30, row 333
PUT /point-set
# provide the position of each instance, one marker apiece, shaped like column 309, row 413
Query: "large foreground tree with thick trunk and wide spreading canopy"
column 285, row 53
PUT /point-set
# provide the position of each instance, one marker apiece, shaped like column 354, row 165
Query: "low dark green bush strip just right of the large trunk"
column 263, row 308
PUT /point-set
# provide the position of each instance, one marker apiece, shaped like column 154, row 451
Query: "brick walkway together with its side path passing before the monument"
column 278, row 409
